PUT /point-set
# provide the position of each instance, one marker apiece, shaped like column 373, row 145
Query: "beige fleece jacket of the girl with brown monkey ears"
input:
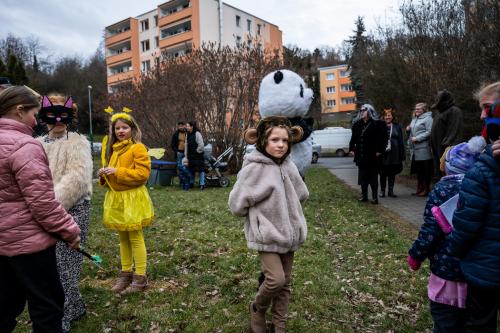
column 270, row 197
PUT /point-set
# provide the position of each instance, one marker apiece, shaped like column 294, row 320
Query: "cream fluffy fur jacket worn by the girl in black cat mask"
column 70, row 163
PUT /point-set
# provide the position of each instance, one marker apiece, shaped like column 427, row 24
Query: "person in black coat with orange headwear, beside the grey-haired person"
column 392, row 160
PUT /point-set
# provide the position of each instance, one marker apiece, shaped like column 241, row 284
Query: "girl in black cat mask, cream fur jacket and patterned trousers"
column 70, row 163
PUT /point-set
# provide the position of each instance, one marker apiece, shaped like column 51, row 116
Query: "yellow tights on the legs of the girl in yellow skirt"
column 133, row 250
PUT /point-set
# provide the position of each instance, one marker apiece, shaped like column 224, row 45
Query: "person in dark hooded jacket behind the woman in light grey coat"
column 447, row 127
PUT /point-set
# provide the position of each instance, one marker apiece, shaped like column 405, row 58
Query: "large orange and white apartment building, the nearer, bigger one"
column 174, row 28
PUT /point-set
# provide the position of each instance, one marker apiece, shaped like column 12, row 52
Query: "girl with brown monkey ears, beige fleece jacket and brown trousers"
column 269, row 192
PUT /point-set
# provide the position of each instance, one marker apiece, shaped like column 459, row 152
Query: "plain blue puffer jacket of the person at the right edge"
column 476, row 234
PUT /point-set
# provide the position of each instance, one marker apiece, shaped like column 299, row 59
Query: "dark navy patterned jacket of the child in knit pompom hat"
column 430, row 242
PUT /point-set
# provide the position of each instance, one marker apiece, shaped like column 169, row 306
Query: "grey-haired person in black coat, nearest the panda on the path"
column 368, row 143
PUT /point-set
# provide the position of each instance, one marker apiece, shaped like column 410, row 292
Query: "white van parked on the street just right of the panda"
column 334, row 141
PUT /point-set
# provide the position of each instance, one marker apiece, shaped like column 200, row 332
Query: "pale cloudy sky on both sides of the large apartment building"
column 69, row 28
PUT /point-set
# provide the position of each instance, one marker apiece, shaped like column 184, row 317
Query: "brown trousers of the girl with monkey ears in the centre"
column 276, row 287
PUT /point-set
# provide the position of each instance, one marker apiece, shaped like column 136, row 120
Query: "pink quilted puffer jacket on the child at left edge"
column 28, row 209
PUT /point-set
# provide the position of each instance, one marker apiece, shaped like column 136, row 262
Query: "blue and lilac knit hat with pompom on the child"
column 460, row 158
